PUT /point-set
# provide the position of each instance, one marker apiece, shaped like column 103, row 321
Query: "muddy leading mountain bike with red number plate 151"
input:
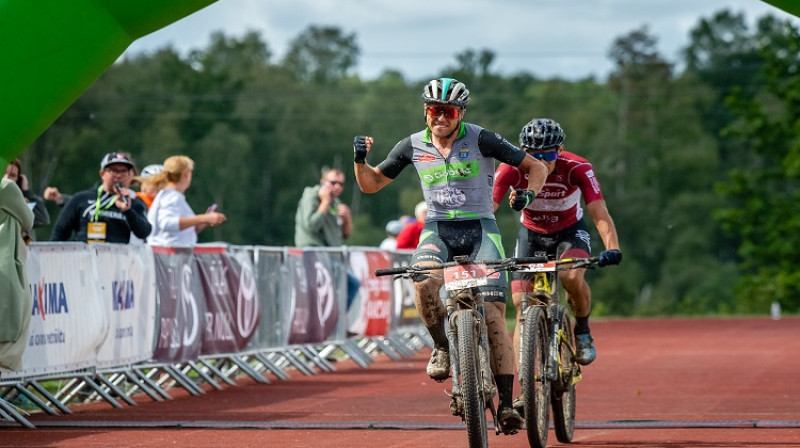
column 473, row 383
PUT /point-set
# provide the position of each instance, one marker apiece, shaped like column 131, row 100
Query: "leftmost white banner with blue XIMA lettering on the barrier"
column 68, row 319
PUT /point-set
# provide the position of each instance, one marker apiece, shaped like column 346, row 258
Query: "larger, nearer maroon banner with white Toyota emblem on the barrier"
column 229, row 287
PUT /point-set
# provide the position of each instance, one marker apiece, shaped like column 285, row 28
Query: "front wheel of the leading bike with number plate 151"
column 471, row 385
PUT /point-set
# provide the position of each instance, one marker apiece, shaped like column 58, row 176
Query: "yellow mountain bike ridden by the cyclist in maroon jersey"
column 548, row 368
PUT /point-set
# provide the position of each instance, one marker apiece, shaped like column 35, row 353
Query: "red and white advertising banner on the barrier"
column 375, row 310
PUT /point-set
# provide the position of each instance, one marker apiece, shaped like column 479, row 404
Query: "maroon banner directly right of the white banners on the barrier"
column 181, row 305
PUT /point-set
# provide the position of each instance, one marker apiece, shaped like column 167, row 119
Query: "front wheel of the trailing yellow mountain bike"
column 535, row 387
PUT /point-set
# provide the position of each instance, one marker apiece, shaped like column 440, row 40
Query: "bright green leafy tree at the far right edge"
column 762, row 196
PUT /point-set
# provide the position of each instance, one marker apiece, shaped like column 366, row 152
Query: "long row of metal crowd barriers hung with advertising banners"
column 109, row 321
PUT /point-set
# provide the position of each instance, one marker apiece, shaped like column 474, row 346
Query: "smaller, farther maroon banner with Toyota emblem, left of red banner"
column 314, row 306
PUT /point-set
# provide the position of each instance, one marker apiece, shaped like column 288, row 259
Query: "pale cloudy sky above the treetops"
column 568, row 39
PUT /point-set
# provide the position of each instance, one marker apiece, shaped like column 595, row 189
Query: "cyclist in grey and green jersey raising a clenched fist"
column 455, row 162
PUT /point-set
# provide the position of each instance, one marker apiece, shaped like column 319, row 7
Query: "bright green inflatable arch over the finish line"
column 54, row 49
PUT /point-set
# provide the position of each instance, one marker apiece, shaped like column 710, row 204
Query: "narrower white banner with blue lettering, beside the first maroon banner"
column 128, row 294
